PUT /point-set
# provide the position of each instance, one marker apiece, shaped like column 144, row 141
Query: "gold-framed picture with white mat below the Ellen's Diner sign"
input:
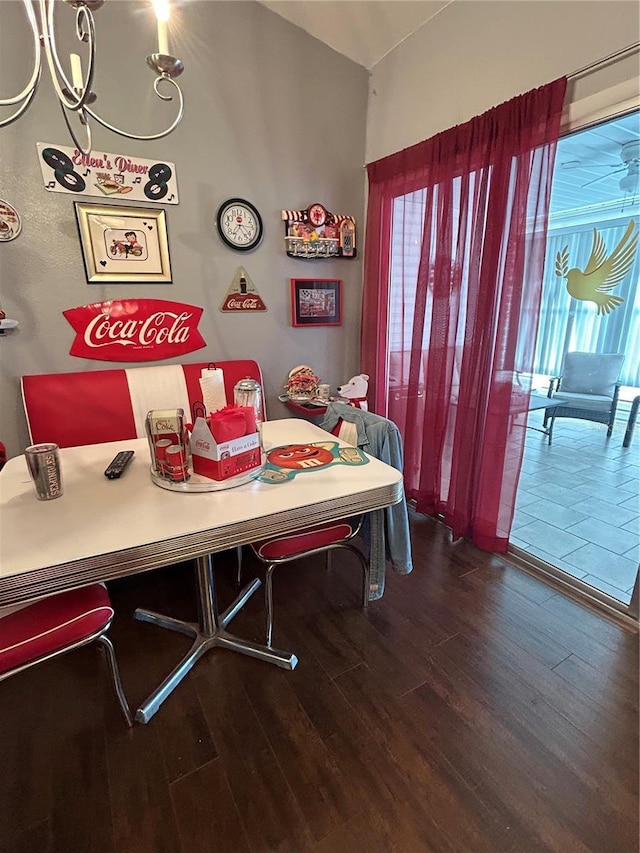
column 123, row 244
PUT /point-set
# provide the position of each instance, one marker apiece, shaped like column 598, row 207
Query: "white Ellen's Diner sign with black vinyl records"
column 117, row 176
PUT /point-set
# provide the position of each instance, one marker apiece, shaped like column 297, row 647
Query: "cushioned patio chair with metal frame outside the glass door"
column 589, row 386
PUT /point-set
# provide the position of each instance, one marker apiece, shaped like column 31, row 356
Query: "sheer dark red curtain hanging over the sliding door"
column 456, row 237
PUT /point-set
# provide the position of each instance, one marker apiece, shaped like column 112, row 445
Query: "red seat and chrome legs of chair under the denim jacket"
column 303, row 543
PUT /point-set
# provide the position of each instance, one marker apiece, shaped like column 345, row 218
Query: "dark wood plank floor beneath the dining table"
column 473, row 708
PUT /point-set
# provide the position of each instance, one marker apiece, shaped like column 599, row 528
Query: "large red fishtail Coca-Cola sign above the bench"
column 135, row 329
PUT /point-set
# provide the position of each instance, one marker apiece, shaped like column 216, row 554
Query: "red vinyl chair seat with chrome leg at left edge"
column 57, row 624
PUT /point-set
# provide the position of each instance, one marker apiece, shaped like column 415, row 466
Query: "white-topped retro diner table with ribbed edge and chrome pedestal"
column 102, row 529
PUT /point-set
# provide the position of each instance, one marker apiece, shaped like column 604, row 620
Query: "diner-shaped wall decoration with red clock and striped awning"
column 316, row 233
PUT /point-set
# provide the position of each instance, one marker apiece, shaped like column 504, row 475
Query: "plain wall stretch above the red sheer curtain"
column 478, row 53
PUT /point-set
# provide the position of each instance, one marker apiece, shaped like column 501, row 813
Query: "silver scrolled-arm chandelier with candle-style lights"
column 76, row 95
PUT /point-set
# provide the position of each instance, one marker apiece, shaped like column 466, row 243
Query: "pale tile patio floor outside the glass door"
column 578, row 506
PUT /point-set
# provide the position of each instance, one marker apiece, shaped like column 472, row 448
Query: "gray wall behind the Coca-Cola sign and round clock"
column 272, row 115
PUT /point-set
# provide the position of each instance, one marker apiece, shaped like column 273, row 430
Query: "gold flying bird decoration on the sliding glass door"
column 601, row 273
